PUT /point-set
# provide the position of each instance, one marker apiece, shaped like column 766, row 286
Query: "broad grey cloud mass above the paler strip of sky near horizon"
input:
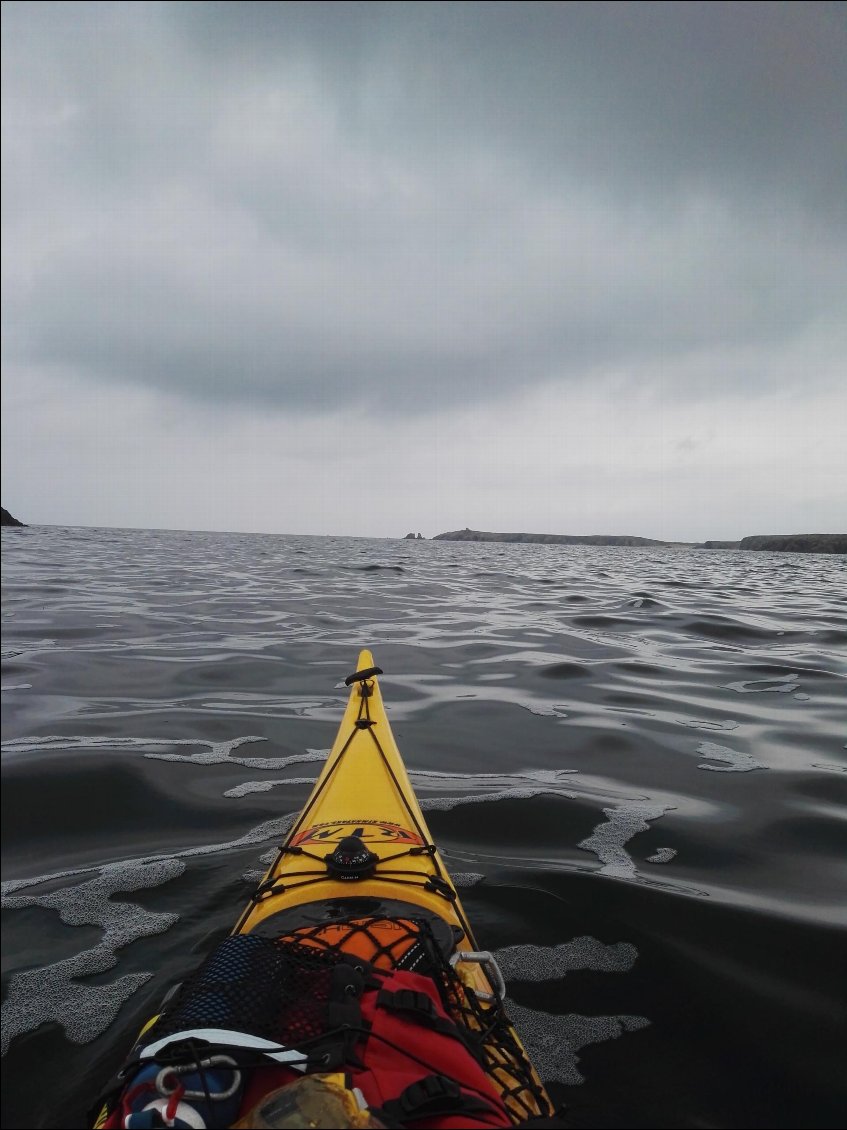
column 289, row 204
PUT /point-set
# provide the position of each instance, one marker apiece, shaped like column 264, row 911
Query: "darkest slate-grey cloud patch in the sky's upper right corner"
column 666, row 95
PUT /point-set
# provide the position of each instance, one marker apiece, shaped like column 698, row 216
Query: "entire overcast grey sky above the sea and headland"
column 379, row 268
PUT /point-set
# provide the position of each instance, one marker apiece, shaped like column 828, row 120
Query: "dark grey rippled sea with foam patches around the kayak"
column 633, row 760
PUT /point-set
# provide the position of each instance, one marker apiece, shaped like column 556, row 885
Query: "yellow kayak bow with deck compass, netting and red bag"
column 352, row 992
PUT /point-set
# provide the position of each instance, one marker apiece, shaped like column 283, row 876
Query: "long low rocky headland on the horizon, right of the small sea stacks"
column 781, row 543
